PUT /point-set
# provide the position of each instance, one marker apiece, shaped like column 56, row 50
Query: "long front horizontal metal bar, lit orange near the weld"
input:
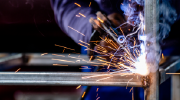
column 70, row 78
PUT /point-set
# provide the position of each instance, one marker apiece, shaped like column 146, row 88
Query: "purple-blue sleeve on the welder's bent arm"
column 73, row 16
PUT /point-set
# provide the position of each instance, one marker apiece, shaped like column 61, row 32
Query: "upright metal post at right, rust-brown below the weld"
column 151, row 28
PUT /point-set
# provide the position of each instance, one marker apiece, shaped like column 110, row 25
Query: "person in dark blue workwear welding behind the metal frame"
column 68, row 14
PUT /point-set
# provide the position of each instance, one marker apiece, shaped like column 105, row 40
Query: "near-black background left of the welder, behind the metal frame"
column 28, row 26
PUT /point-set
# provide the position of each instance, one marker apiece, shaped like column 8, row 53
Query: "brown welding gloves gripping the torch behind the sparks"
column 112, row 20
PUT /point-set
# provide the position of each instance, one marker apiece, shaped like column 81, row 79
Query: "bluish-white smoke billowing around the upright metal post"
column 134, row 13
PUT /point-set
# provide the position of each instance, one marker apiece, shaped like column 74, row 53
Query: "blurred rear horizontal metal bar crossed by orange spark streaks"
column 65, row 59
